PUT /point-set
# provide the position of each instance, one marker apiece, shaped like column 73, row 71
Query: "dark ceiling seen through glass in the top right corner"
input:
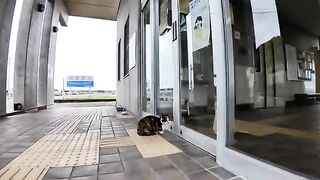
column 303, row 13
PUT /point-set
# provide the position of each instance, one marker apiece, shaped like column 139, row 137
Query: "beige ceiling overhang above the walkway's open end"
column 101, row 9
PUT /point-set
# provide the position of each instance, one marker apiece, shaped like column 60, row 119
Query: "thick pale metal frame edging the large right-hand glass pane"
column 227, row 156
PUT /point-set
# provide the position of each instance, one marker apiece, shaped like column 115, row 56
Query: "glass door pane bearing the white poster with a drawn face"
column 198, row 93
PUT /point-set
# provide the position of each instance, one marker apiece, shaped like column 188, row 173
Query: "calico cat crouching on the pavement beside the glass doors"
column 150, row 125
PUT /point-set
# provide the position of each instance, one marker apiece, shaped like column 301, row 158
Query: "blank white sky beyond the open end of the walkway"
column 87, row 47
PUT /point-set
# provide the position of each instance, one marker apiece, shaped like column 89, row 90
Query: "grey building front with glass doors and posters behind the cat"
column 237, row 78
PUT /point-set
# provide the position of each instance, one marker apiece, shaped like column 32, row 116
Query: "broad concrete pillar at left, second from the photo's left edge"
column 28, row 54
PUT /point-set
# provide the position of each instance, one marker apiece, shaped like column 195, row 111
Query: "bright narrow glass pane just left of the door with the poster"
column 166, row 63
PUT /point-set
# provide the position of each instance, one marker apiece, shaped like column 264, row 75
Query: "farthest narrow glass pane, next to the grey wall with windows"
column 146, row 97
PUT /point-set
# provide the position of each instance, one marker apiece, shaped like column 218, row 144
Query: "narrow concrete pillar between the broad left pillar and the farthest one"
column 44, row 55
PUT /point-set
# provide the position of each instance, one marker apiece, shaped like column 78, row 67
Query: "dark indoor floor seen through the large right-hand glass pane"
column 297, row 151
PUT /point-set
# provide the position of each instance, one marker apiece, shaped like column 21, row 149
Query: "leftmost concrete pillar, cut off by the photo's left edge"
column 6, row 17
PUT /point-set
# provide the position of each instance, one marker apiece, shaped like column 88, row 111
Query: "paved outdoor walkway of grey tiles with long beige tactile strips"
column 67, row 141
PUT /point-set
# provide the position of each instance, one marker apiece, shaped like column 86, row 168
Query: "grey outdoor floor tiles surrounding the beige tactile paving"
column 18, row 133
